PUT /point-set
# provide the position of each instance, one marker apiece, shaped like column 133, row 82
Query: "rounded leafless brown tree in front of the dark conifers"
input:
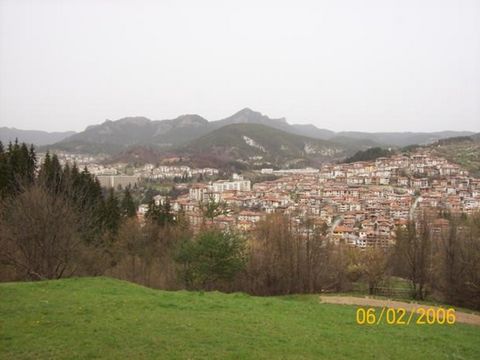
column 40, row 234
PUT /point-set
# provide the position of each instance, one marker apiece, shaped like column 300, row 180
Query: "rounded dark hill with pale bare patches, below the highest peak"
column 259, row 145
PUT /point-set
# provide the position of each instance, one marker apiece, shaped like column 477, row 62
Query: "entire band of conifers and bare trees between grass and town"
column 56, row 221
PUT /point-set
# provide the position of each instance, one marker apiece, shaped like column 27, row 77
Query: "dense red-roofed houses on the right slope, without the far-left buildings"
column 360, row 203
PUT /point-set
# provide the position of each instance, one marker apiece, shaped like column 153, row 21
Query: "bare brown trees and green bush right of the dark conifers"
column 436, row 257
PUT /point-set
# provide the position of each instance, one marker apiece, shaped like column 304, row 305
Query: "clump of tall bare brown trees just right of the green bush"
column 286, row 258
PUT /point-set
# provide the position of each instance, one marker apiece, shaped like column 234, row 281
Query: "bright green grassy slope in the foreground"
column 105, row 318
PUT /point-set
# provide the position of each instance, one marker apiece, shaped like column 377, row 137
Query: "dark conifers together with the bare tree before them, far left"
column 55, row 220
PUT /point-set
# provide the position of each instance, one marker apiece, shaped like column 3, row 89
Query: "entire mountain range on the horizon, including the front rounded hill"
column 245, row 137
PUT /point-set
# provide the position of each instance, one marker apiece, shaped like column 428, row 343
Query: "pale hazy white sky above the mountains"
column 344, row 65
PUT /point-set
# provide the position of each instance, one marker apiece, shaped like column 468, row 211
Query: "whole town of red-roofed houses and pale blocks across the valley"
column 360, row 204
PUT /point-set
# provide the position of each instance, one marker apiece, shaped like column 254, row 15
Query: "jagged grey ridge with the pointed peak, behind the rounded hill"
column 113, row 137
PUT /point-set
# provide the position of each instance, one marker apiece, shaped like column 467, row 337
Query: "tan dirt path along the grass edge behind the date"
column 461, row 317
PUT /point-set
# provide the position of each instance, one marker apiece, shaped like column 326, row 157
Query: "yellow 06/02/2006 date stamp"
column 401, row 316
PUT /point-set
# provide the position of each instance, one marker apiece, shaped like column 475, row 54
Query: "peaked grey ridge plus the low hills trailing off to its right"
column 116, row 136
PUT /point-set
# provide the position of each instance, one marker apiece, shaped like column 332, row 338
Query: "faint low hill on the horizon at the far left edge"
column 35, row 137
